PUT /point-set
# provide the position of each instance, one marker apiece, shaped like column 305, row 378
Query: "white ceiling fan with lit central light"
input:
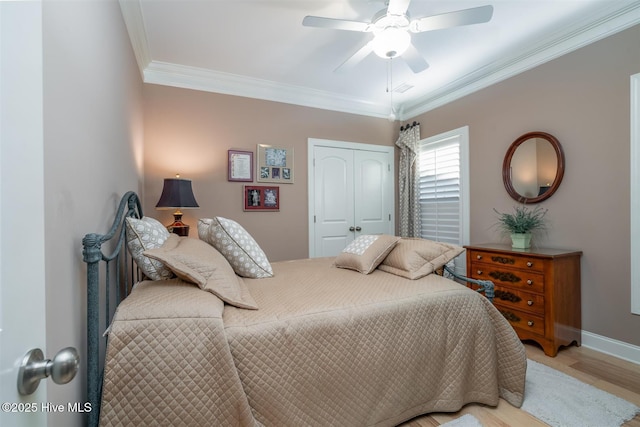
column 392, row 27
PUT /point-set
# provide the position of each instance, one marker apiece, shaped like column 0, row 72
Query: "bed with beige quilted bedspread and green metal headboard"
column 308, row 343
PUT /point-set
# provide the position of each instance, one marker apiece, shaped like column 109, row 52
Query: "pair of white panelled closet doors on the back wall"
column 351, row 193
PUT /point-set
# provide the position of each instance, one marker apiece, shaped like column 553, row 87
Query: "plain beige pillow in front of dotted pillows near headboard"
column 197, row 262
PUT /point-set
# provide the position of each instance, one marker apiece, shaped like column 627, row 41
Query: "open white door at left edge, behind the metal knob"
column 22, row 209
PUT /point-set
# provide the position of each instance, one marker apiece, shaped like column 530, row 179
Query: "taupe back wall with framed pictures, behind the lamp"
column 189, row 132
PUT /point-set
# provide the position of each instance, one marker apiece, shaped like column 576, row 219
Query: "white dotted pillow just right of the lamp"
column 237, row 246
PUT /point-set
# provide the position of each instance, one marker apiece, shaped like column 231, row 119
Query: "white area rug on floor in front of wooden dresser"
column 563, row 401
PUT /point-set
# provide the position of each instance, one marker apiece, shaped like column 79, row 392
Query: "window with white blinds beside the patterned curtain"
column 444, row 189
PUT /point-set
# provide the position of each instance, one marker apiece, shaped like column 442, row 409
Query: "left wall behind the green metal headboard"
column 92, row 155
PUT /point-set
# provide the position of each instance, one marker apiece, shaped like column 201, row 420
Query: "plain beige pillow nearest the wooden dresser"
column 414, row 258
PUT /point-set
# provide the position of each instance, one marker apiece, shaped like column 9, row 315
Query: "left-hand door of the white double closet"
column 333, row 177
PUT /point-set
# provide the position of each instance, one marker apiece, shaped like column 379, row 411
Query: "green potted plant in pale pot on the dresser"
column 521, row 223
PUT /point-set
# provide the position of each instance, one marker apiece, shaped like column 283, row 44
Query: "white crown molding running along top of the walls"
column 162, row 73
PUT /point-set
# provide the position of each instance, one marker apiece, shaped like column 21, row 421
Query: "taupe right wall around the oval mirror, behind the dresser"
column 583, row 100
